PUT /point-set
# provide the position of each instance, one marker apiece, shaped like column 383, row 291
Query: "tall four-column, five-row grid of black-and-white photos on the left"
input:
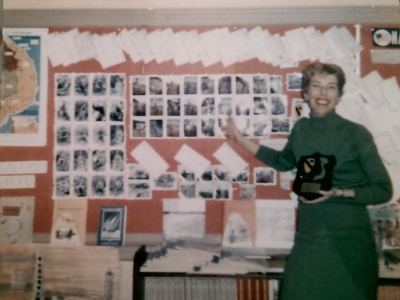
column 89, row 143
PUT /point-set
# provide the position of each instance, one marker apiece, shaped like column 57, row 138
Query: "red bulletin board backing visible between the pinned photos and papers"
column 145, row 216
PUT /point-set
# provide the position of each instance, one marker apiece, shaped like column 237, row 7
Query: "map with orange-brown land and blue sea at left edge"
column 23, row 89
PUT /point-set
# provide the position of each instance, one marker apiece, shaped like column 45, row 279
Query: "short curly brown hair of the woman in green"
column 323, row 68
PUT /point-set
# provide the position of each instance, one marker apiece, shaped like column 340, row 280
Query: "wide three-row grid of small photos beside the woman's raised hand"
column 197, row 106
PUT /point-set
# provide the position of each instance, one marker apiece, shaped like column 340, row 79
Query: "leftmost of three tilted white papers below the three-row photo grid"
column 150, row 159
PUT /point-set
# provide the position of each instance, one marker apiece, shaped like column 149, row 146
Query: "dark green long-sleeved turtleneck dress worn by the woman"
column 334, row 256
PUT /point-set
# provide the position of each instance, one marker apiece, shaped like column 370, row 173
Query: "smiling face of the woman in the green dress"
column 322, row 94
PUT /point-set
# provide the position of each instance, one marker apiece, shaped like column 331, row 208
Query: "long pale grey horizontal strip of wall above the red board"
column 199, row 17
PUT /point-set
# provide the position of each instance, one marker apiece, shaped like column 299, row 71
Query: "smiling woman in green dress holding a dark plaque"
column 334, row 254
